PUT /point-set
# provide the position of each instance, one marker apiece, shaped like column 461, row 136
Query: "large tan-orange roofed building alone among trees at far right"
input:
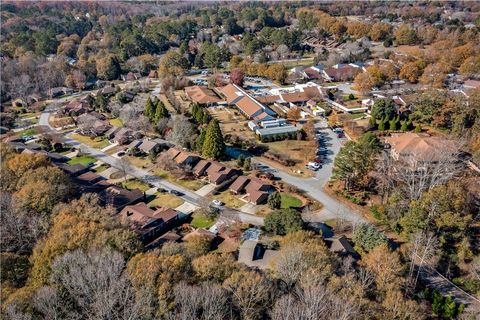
column 421, row 147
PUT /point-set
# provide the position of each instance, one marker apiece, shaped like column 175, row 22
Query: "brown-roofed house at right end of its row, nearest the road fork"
column 257, row 190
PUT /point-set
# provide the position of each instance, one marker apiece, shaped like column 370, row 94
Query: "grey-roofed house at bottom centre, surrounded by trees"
column 255, row 255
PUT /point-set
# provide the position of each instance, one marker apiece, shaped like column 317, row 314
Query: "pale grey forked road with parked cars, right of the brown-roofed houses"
column 332, row 209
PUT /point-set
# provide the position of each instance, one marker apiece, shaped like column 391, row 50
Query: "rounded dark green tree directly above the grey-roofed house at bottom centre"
column 283, row 221
